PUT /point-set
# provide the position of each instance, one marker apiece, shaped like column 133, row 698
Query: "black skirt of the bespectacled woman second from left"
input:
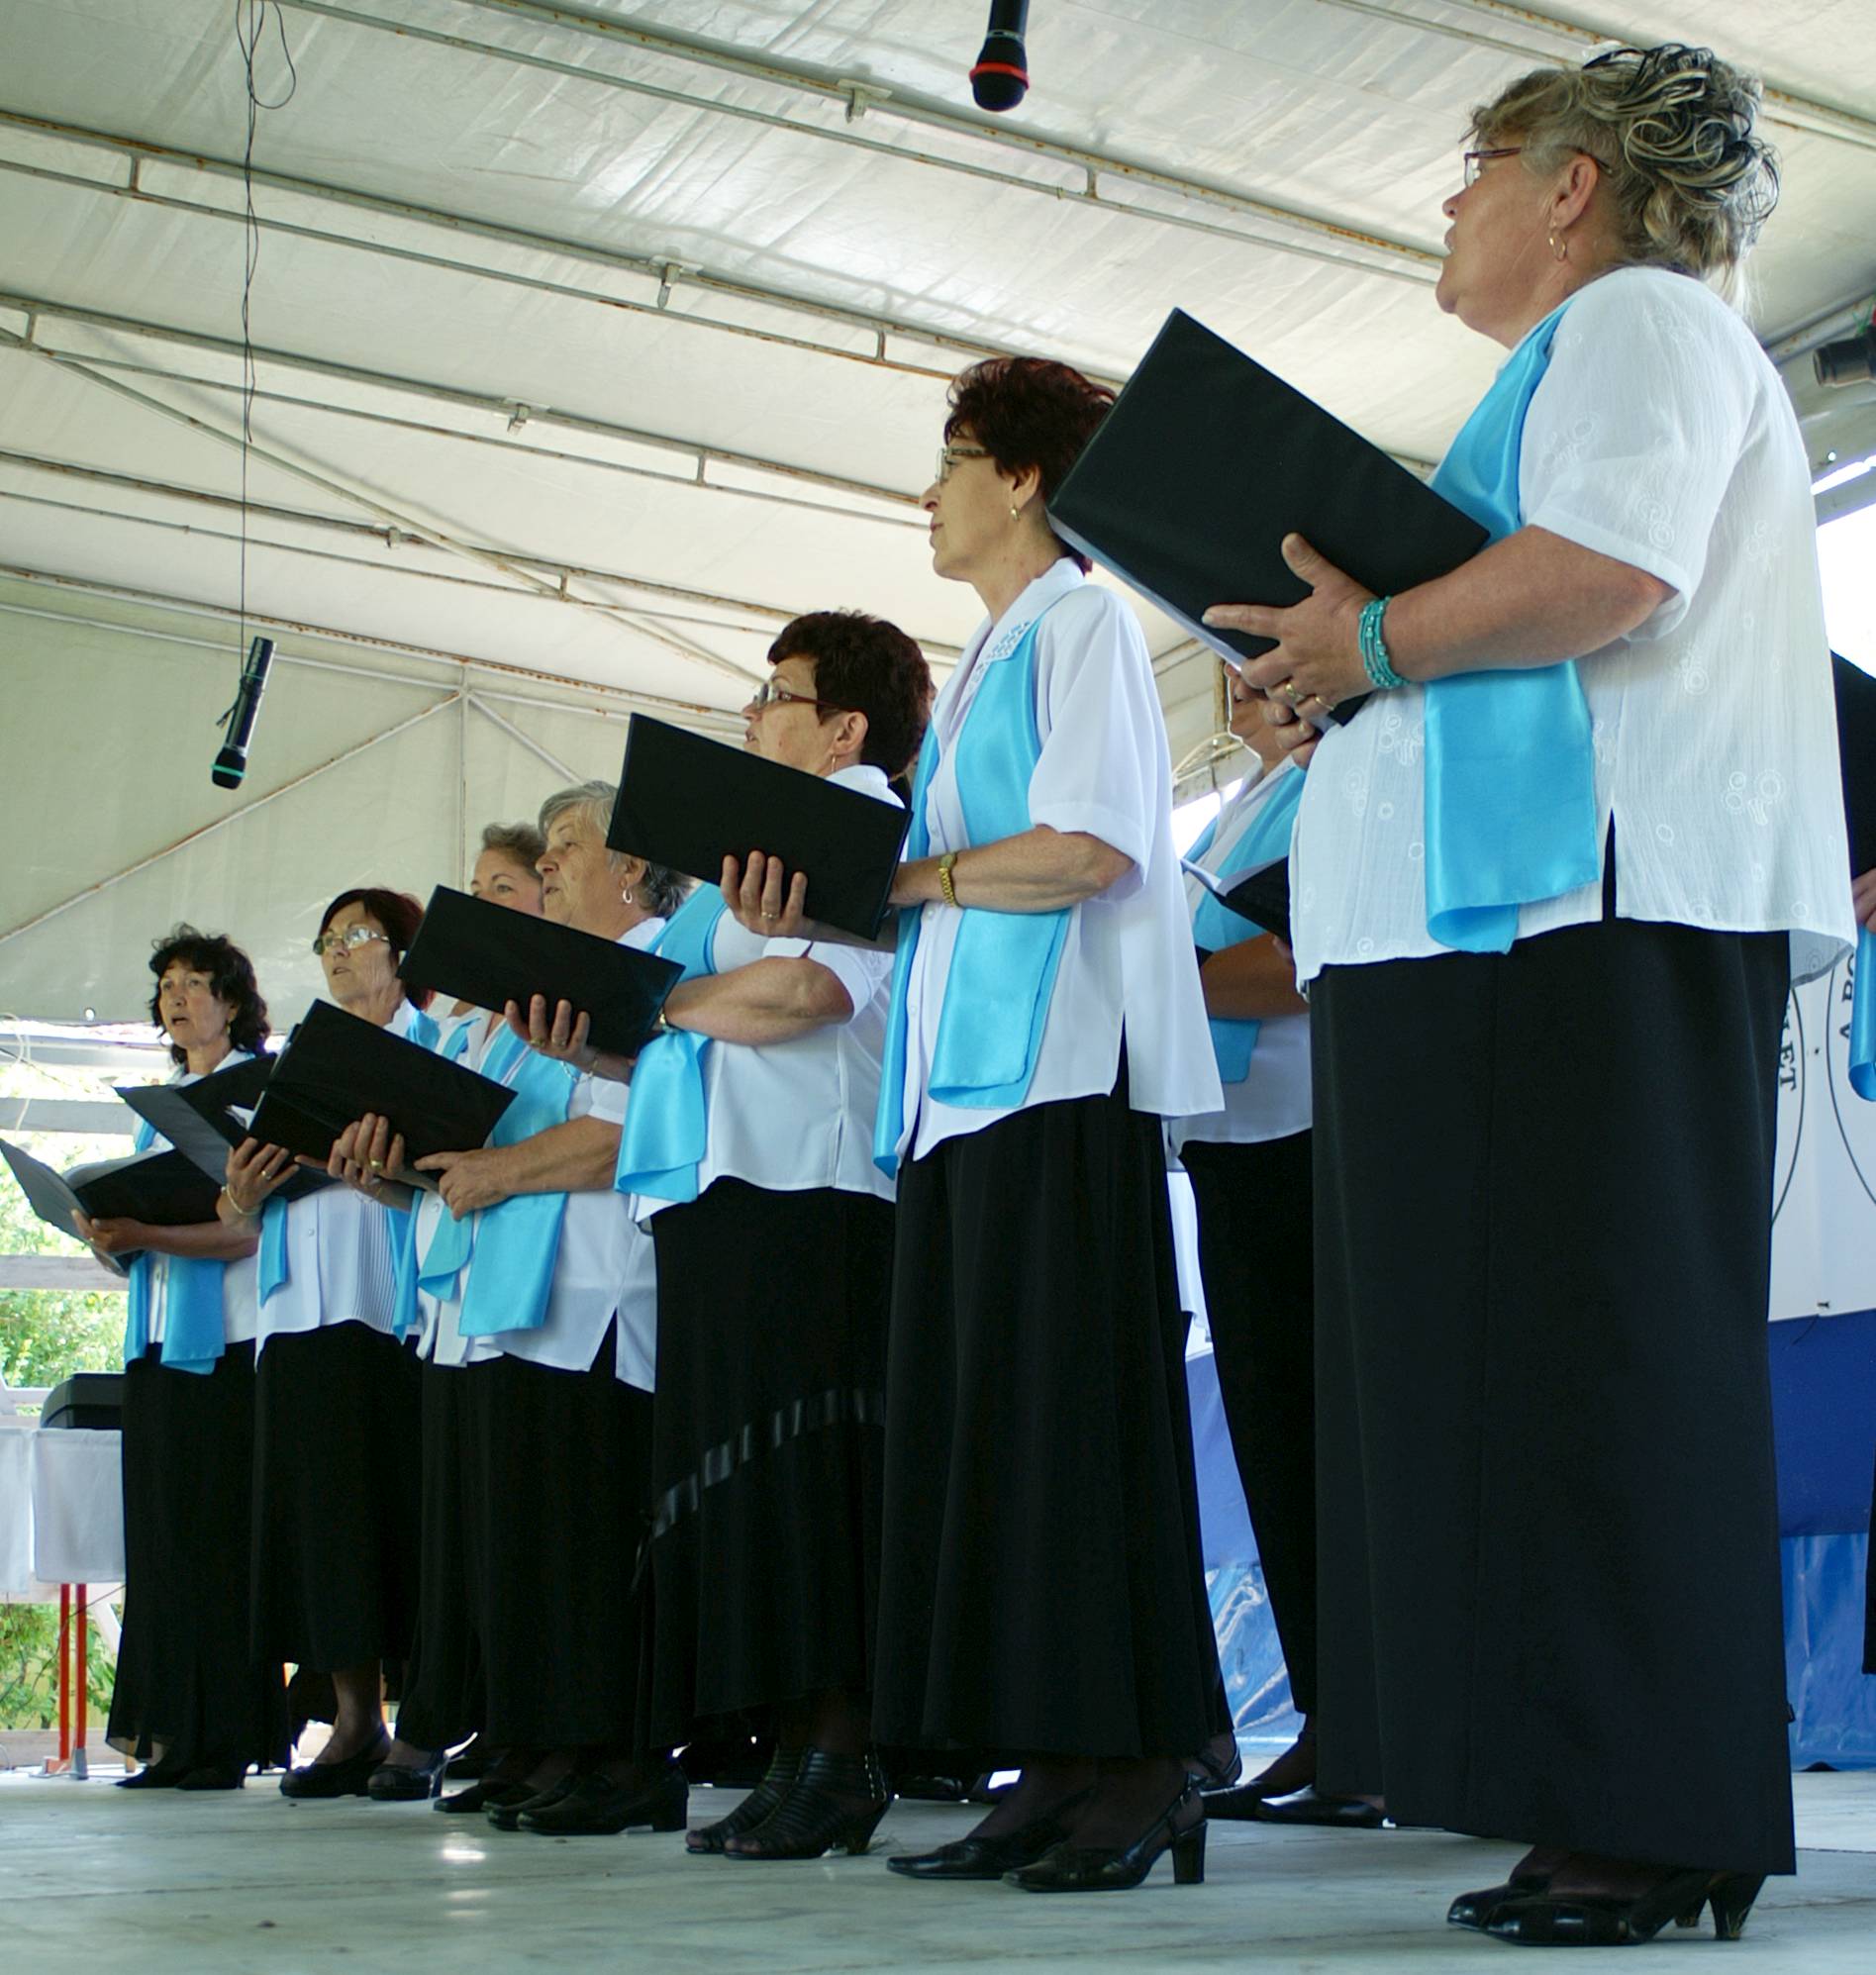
column 337, row 1498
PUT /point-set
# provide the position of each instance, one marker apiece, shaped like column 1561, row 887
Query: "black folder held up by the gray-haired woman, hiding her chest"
column 489, row 955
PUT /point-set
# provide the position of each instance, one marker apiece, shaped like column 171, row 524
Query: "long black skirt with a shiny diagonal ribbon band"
column 771, row 1441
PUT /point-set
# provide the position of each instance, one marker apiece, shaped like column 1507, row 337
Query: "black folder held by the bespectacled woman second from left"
column 337, row 1067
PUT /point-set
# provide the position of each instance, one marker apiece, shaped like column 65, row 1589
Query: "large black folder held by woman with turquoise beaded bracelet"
column 1208, row 461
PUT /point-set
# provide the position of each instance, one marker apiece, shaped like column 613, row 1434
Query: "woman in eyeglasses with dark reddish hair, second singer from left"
column 337, row 1409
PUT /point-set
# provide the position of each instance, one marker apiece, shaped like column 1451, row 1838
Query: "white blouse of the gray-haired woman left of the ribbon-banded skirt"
column 605, row 1265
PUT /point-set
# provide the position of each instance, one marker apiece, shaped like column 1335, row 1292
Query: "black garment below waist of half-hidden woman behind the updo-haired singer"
column 1257, row 1253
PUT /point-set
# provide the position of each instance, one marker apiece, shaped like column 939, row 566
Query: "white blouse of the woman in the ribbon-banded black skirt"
column 799, row 1115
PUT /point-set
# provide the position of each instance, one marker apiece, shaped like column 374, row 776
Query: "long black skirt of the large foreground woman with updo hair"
column 1545, row 1492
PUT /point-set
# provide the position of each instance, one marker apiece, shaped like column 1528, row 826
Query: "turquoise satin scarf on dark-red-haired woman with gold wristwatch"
column 1002, row 975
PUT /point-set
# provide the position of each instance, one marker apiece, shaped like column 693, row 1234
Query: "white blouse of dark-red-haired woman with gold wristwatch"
column 1129, row 957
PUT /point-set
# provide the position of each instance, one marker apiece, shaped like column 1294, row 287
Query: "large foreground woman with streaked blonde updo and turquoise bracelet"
column 1551, row 888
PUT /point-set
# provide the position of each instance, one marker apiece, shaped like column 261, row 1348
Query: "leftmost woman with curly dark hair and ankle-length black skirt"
column 193, row 1699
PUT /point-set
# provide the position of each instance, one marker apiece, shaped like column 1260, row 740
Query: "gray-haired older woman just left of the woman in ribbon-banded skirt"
column 540, row 1269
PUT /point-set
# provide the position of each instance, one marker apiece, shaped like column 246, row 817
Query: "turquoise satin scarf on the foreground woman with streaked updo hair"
column 1510, row 767
